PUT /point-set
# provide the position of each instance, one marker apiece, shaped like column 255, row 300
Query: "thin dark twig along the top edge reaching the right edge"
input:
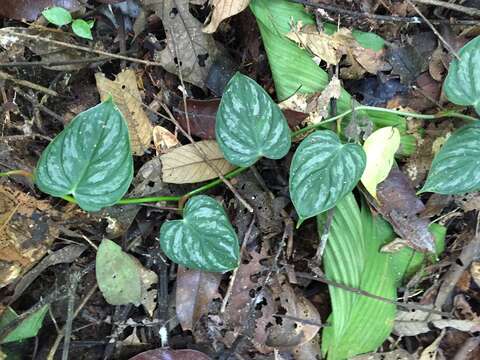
column 387, row 18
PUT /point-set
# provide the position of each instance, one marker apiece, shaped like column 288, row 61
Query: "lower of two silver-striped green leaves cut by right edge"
column 456, row 168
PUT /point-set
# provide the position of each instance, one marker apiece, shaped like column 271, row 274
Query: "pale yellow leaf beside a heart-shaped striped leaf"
column 380, row 148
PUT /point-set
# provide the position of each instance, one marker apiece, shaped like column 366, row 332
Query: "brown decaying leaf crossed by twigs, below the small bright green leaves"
column 49, row 52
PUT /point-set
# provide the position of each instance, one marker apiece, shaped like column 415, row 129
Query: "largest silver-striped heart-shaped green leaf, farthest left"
column 90, row 159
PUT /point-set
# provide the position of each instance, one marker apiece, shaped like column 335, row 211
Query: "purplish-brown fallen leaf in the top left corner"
column 31, row 9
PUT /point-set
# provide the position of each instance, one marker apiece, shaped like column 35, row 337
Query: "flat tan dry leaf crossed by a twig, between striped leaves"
column 184, row 165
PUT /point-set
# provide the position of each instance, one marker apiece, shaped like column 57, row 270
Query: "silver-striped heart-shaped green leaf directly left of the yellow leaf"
column 322, row 172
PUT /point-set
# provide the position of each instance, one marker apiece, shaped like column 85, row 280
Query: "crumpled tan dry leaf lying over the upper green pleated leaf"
column 331, row 48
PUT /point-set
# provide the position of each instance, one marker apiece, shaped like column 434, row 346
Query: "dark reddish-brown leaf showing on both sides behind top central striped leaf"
column 202, row 115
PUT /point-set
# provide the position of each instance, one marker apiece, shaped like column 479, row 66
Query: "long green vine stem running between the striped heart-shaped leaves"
column 182, row 199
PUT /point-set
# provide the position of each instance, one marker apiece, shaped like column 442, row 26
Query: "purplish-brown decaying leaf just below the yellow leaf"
column 399, row 205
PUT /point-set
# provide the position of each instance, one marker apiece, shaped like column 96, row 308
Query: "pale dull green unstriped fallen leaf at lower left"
column 118, row 275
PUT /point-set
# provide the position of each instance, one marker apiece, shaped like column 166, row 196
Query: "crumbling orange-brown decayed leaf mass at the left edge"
column 26, row 232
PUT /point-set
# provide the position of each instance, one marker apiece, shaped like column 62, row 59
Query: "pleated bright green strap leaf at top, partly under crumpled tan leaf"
column 293, row 69
